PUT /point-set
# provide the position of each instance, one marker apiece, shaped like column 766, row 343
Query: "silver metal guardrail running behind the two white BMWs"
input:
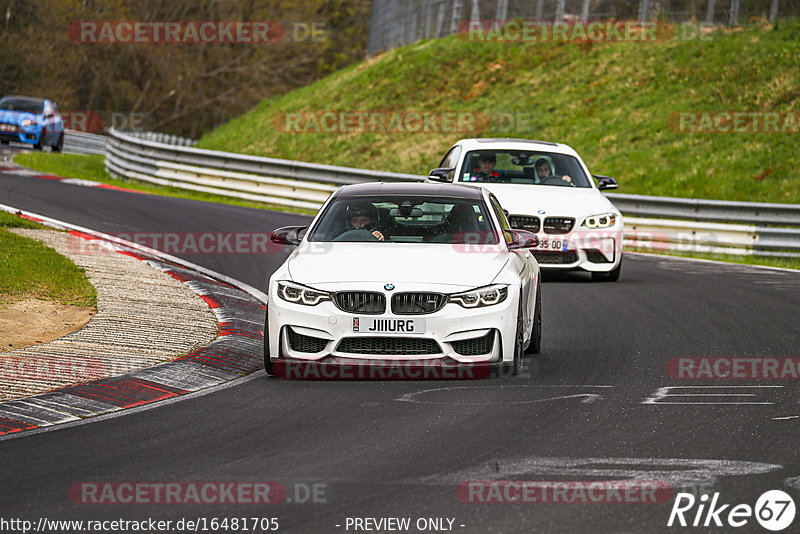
column 654, row 223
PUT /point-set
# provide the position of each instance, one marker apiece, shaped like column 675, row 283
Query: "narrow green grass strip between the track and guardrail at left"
column 92, row 168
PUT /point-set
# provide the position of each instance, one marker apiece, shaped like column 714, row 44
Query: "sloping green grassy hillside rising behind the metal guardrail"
column 611, row 101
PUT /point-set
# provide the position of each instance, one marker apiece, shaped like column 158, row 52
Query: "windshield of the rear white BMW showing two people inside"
column 523, row 167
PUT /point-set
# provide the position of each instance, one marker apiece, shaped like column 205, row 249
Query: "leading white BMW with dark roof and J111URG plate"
column 404, row 281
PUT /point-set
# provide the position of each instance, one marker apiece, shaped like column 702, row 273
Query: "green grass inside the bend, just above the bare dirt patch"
column 29, row 269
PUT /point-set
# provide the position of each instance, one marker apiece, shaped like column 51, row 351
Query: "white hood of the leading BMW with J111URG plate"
column 454, row 265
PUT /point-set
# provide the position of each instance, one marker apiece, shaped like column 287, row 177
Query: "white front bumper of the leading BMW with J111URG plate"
column 454, row 337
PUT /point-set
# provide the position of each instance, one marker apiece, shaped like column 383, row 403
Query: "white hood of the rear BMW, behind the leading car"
column 554, row 200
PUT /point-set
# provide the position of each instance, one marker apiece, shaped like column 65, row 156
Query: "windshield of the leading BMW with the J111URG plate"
column 405, row 220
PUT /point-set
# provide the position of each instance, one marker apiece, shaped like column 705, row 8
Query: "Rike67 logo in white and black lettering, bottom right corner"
column 774, row 511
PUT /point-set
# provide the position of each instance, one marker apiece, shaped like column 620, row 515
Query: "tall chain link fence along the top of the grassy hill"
column 399, row 22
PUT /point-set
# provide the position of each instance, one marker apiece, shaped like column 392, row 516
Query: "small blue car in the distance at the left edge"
column 30, row 120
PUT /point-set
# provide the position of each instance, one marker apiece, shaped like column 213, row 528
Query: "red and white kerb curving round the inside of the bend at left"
column 236, row 351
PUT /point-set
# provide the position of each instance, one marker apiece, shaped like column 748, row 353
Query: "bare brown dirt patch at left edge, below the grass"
column 32, row 321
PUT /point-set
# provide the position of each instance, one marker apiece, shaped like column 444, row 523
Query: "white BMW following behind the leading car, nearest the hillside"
column 547, row 189
